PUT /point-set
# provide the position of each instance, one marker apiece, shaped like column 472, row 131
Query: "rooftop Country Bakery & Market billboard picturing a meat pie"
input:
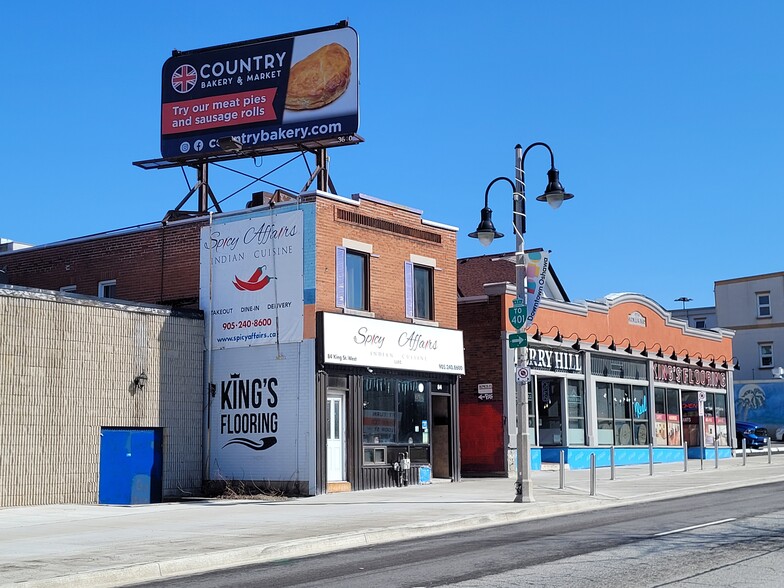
column 284, row 90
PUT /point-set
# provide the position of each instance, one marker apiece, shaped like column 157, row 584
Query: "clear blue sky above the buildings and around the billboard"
column 666, row 119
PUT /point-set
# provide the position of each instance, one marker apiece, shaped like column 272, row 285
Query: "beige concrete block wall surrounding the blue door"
column 67, row 365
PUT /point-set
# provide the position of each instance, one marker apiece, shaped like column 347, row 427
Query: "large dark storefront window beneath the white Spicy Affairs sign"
column 395, row 411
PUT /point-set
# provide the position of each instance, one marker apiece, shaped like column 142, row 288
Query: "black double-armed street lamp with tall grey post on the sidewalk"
column 554, row 195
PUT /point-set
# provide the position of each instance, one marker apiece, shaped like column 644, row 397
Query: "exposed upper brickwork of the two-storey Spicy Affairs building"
column 160, row 264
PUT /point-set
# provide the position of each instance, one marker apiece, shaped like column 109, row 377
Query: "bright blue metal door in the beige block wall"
column 130, row 466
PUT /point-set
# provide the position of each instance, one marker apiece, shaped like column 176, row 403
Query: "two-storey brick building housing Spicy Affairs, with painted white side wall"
column 332, row 355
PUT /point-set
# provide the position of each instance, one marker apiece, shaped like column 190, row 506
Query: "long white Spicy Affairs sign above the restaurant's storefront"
column 352, row 340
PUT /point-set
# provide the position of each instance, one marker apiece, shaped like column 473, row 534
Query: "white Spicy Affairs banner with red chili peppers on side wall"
column 252, row 280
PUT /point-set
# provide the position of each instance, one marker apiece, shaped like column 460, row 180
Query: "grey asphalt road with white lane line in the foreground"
column 735, row 537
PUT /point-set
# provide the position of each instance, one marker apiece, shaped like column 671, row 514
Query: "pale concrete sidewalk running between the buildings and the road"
column 99, row 545
